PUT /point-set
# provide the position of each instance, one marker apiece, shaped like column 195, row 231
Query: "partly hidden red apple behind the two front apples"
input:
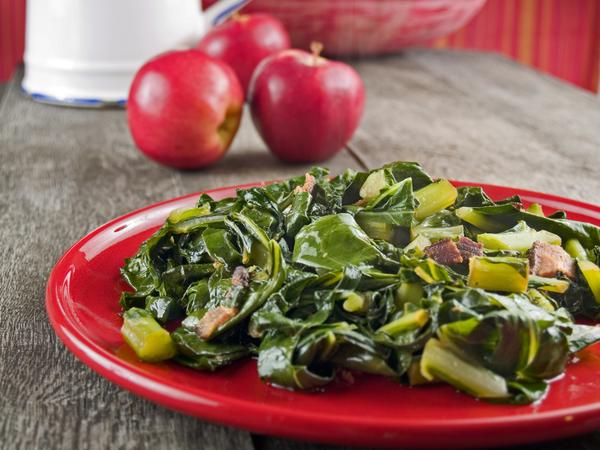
column 244, row 41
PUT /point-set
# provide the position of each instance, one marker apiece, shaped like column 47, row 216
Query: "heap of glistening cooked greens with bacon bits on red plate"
column 386, row 272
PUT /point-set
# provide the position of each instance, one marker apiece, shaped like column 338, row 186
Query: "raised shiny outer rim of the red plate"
column 217, row 406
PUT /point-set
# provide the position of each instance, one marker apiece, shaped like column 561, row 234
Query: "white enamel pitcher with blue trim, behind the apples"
column 86, row 52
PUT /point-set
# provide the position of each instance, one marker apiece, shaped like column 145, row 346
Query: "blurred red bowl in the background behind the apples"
column 364, row 27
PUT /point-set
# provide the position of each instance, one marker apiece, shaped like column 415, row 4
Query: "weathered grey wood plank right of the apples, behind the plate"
column 481, row 117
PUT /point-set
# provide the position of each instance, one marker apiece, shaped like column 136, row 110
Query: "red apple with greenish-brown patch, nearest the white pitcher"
column 184, row 108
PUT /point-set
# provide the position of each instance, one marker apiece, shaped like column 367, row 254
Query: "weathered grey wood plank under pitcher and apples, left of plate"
column 63, row 173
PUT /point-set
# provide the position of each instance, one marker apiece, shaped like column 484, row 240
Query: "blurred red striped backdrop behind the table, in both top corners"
column 561, row 37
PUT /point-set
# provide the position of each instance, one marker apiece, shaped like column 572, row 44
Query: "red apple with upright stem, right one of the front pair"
column 304, row 106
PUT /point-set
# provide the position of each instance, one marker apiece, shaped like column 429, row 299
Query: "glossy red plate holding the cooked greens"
column 82, row 297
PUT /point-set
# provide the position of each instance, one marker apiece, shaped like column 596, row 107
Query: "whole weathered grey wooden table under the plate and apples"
column 64, row 172
